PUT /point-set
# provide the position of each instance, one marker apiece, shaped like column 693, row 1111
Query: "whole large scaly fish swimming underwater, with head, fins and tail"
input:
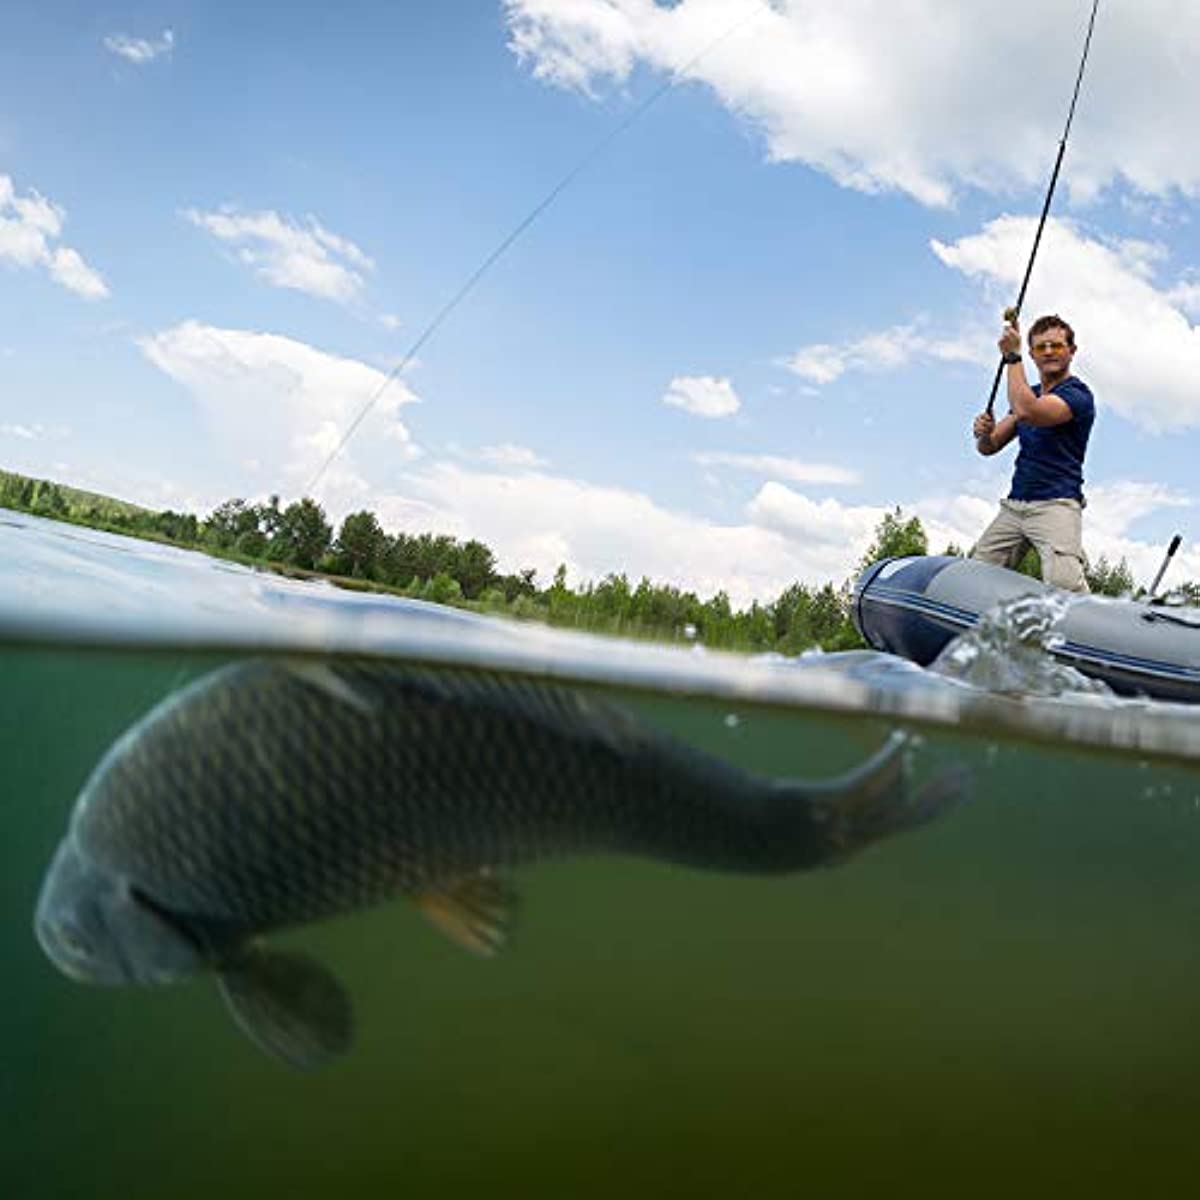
column 271, row 795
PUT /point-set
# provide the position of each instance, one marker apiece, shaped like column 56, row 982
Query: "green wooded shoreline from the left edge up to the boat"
column 800, row 620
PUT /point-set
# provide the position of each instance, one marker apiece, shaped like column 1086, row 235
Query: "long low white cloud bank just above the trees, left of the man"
column 542, row 520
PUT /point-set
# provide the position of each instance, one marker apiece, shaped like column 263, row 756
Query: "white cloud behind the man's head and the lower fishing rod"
column 1137, row 347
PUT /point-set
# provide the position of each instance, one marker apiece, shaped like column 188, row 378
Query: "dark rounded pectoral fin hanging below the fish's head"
column 290, row 1006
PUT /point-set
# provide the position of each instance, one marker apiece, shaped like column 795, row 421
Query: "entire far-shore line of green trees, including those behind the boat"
column 299, row 539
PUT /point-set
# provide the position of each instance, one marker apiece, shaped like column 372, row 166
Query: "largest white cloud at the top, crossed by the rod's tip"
column 919, row 97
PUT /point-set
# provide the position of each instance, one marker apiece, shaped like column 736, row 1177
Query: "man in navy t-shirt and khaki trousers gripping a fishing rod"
column 1053, row 422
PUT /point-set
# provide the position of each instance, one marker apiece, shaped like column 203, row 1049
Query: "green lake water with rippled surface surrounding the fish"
column 1000, row 1004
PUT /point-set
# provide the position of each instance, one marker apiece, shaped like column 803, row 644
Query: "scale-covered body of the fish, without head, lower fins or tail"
column 350, row 807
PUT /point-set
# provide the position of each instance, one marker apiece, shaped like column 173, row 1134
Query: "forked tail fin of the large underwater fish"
column 878, row 800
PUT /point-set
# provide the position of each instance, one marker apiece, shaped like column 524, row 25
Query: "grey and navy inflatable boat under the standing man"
column 914, row 607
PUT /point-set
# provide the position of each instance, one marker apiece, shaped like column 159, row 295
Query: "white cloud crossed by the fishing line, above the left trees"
column 260, row 391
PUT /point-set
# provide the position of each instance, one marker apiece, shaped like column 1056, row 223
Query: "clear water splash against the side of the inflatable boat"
column 1011, row 651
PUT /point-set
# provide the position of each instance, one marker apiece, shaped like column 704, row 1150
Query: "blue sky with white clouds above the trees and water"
column 761, row 313
